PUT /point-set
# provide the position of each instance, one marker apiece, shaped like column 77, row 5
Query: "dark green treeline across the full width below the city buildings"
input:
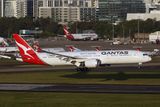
column 104, row 29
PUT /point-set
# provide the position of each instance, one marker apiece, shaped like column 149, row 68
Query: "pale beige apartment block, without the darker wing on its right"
column 59, row 14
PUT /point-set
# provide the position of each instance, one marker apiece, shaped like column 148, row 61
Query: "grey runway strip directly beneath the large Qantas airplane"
column 114, row 68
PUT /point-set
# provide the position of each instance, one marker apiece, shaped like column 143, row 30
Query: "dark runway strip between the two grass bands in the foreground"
column 125, row 89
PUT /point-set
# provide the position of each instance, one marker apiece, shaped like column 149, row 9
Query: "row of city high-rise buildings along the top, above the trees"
column 76, row 10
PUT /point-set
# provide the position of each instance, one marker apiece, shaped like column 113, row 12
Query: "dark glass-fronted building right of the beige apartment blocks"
column 115, row 10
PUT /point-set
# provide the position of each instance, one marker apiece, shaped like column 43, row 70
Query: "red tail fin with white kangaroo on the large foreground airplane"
column 26, row 51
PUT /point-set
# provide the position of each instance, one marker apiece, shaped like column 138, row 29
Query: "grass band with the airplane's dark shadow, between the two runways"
column 137, row 78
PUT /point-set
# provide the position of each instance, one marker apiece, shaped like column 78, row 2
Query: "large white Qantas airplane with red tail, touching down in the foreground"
column 83, row 60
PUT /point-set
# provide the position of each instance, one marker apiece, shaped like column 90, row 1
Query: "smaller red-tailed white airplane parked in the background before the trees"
column 80, row 36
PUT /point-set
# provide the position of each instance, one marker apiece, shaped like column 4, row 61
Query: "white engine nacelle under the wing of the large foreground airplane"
column 92, row 63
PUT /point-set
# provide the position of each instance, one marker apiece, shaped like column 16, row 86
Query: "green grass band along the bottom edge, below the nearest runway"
column 48, row 99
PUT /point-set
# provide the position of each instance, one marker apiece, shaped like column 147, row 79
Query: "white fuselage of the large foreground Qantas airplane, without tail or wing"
column 106, row 57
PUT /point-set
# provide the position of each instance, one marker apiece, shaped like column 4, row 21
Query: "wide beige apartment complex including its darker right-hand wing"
column 69, row 14
